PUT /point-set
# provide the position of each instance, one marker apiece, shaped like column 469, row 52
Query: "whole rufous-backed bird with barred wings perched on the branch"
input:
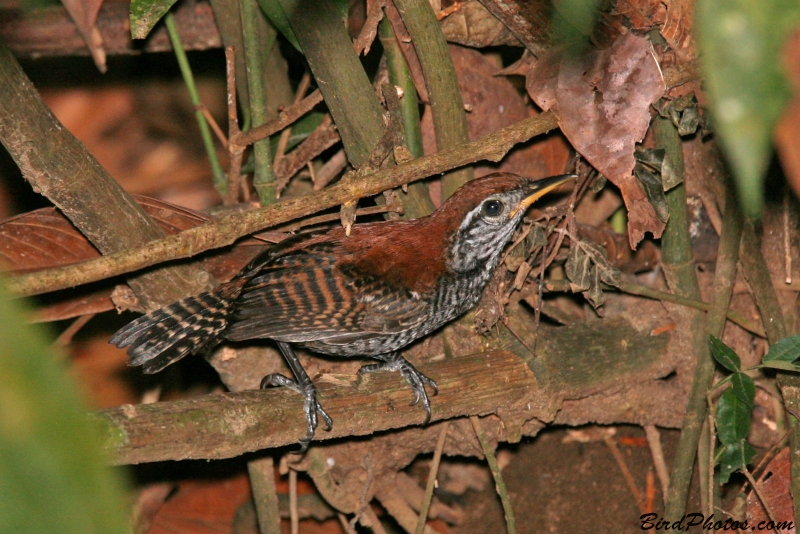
column 368, row 294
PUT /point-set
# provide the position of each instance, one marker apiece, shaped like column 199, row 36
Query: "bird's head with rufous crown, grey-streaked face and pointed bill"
column 484, row 213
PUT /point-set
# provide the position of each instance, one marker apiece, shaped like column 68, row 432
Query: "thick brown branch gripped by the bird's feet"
column 225, row 425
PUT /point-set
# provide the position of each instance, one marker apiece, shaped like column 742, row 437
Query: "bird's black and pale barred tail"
column 190, row 326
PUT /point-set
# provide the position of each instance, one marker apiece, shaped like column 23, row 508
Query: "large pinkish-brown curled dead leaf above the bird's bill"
column 602, row 100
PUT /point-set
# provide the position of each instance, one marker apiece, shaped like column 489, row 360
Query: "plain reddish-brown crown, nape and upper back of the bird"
column 412, row 253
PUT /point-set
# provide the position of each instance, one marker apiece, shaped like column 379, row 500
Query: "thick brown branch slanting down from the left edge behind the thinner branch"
column 58, row 166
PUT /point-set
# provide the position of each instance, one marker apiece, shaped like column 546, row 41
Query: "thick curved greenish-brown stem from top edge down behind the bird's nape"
column 449, row 118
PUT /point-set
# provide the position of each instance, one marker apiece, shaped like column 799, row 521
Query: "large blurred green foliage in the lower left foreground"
column 52, row 477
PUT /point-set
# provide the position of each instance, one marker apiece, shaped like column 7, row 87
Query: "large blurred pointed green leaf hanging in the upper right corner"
column 740, row 42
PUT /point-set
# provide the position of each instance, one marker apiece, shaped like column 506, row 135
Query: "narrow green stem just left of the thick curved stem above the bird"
column 417, row 202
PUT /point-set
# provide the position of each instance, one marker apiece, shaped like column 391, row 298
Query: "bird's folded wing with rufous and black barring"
column 313, row 294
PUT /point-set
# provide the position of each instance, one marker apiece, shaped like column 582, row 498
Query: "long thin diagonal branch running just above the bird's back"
column 228, row 228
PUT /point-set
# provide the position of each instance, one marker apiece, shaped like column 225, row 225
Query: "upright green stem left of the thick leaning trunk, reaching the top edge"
column 264, row 175
